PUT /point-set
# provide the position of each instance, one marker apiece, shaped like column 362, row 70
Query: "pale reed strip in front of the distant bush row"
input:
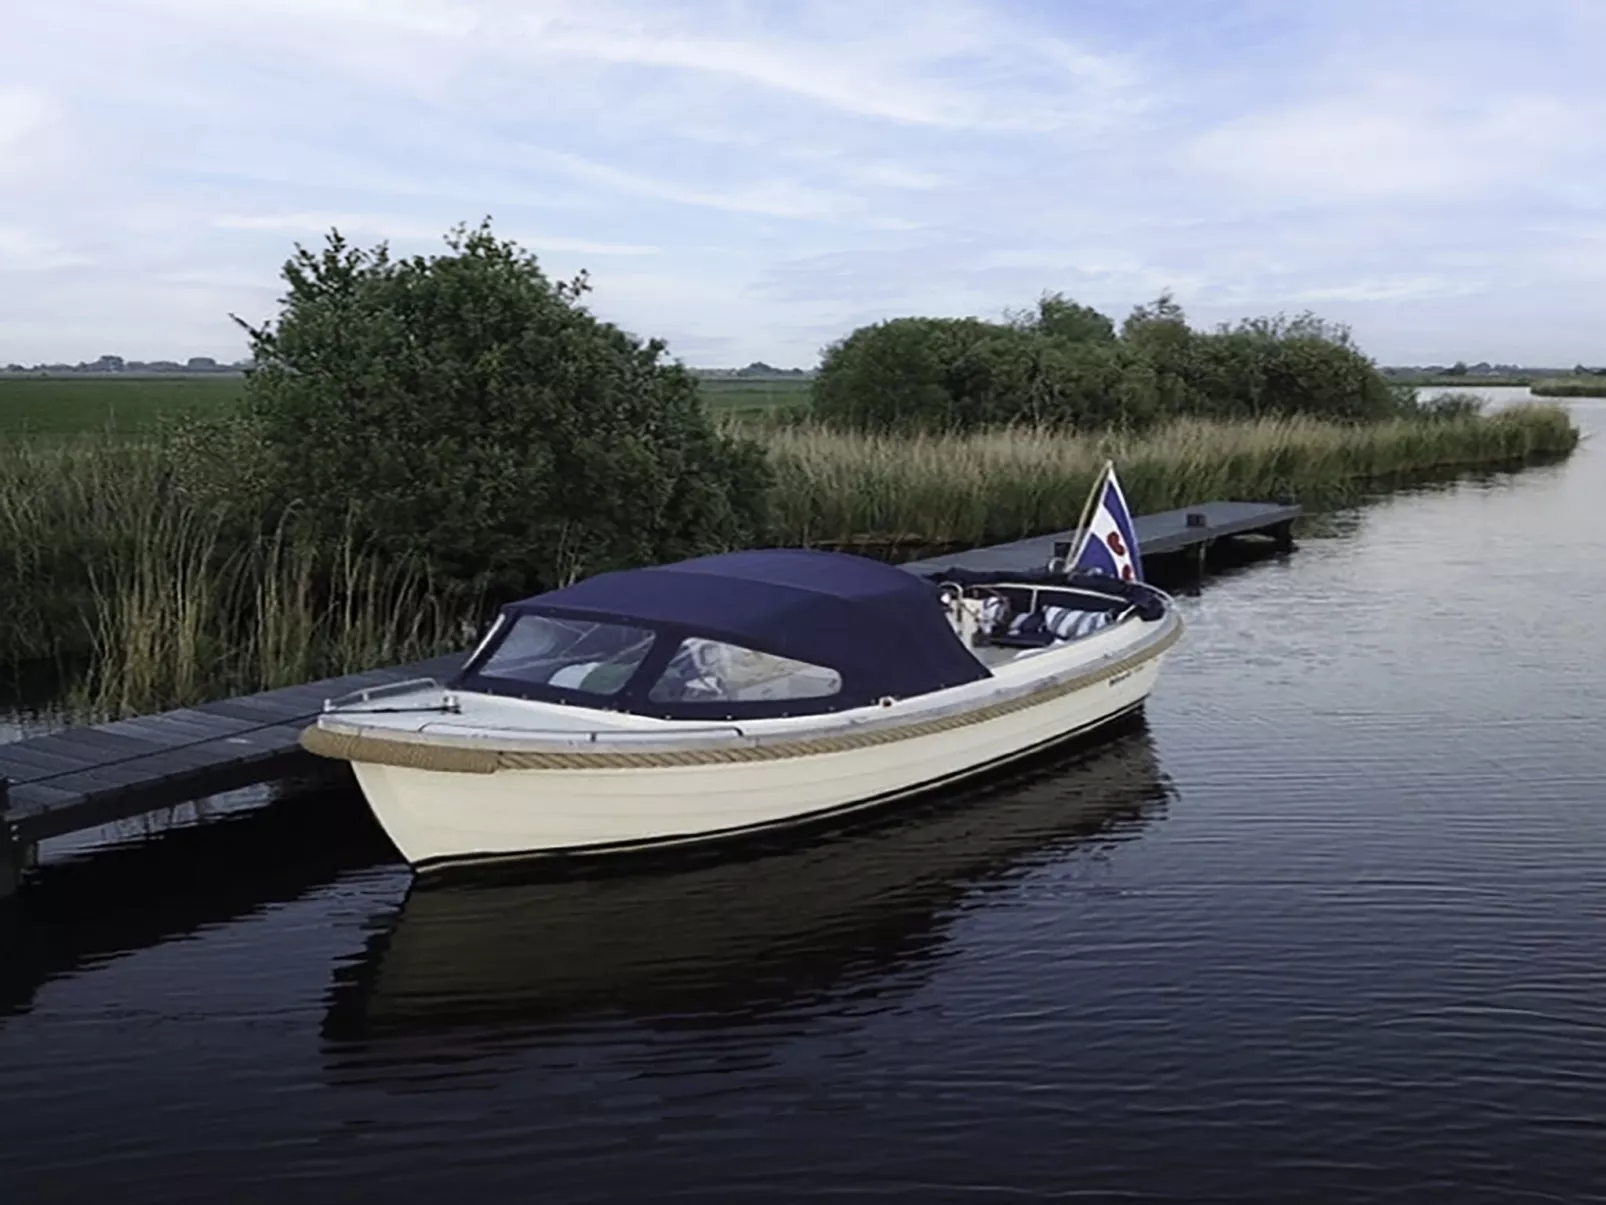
column 844, row 489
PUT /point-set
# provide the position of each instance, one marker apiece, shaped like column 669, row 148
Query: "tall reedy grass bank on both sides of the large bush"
column 110, row 553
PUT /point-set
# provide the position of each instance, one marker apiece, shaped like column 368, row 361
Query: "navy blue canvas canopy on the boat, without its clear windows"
column 882, row 629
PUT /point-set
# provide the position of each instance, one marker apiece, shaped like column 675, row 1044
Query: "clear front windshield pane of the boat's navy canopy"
column 576, row 655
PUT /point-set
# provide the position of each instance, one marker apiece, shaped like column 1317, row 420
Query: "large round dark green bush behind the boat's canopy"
column 467, row 411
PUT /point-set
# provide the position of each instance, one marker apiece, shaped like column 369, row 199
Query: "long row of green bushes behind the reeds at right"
column 1066, row 367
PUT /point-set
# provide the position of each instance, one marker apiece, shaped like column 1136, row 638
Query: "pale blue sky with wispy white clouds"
column 754, row 179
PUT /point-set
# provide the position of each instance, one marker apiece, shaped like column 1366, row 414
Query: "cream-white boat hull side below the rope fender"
column 442, row 819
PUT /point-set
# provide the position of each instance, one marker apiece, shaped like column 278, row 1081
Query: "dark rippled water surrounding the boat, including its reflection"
column 1332, row 926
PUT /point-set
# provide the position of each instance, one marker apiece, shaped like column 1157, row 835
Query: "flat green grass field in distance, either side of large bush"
column 131, row 406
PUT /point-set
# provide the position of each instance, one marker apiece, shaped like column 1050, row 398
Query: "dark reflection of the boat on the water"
column 732, row 941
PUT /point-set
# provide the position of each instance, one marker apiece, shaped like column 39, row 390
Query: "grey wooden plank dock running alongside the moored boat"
column 83, row 778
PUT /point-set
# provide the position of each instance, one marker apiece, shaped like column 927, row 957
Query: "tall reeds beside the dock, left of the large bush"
column 171, row 598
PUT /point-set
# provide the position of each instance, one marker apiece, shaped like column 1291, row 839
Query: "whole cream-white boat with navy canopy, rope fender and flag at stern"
column 743, row 693
